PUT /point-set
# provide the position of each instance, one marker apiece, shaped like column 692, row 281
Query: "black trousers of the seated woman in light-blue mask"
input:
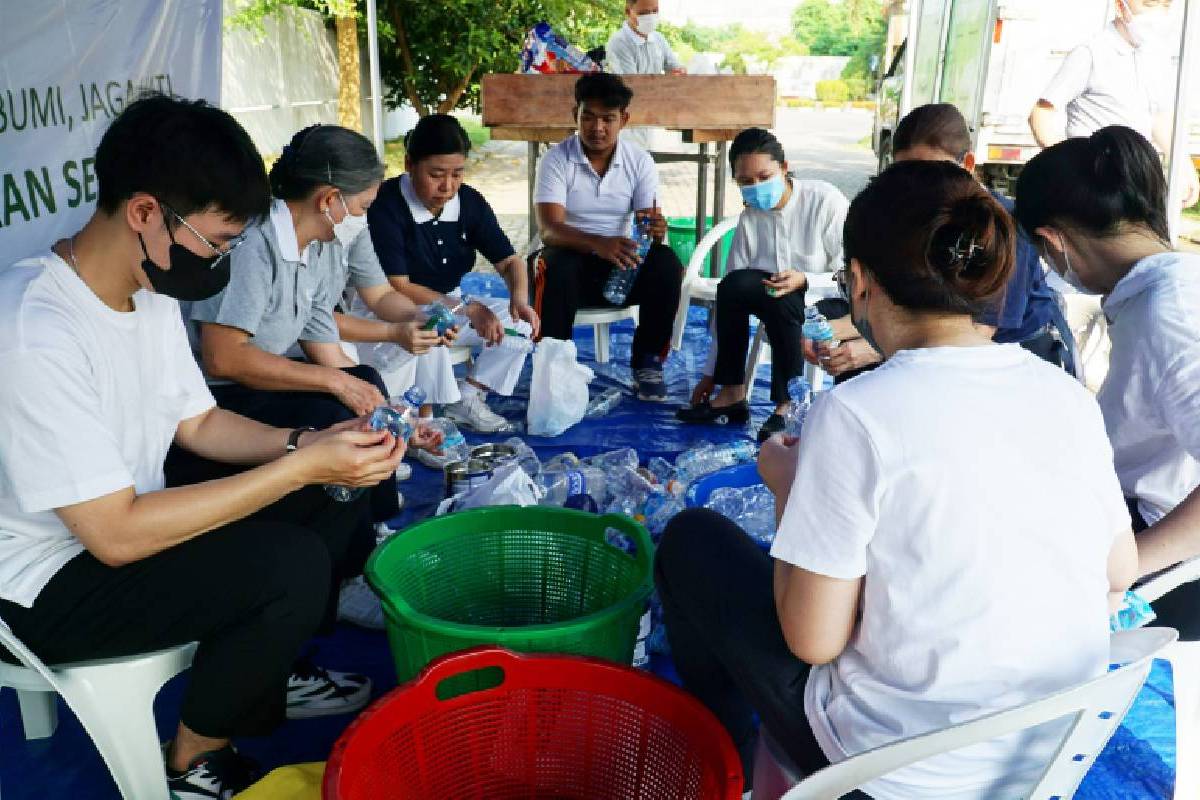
column 740, row 294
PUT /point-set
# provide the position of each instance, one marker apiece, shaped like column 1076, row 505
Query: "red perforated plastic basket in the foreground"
column 490, row 725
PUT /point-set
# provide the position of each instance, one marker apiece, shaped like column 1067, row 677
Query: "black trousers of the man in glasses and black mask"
column 251, row 593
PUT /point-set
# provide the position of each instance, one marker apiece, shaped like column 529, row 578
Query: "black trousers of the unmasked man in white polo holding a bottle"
column 566, row 281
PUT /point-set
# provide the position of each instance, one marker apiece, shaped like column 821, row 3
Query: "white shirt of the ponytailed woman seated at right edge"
column 1151, row 395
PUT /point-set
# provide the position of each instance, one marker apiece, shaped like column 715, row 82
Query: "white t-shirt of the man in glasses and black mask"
column 91, row 400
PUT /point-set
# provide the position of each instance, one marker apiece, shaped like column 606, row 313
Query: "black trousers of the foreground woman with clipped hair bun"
column 719, row 611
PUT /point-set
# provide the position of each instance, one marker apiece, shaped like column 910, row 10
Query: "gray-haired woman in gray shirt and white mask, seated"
column 286, row 282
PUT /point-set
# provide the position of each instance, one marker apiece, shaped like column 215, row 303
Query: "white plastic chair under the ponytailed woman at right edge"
column 1185, row 658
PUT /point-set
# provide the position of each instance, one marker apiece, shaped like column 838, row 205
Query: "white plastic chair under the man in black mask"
column 113, row 700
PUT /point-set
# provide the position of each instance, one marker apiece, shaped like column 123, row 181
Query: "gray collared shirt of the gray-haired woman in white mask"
column 275, row 293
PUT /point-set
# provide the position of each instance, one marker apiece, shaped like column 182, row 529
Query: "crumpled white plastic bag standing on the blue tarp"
column 559, row 394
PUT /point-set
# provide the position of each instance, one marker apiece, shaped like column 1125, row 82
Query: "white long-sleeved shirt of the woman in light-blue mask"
column 805, row 236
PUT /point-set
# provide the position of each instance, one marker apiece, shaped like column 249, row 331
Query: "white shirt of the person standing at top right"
column 1108, row 82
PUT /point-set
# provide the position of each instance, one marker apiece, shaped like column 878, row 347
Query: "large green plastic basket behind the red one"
column 531, row 580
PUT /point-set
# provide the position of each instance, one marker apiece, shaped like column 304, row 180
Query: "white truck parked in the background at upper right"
column 992, row 59
